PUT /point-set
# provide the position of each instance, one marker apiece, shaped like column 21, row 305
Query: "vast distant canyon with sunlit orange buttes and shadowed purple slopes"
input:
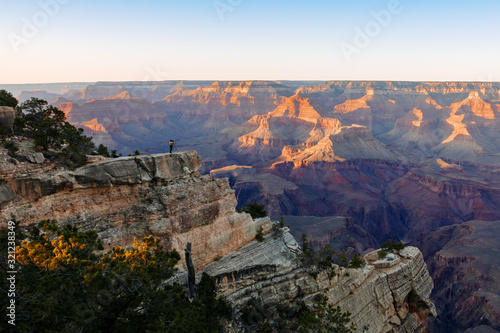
column 374, row 160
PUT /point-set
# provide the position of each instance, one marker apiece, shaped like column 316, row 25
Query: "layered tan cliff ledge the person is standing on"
column 161, row 195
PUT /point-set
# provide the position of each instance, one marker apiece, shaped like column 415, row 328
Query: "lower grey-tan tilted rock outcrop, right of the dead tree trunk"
column 383, row 296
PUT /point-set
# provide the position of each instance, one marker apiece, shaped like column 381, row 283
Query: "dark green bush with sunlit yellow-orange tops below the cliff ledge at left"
column 70, row 285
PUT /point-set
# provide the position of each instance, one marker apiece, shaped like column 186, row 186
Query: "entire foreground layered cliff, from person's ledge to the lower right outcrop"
column 164, row 195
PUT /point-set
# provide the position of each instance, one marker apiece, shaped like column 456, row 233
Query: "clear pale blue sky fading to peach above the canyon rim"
column 47, row 41
